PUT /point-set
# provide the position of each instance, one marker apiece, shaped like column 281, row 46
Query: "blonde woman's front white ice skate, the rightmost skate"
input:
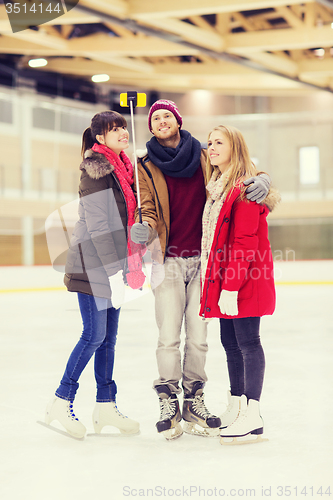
column 248, row 426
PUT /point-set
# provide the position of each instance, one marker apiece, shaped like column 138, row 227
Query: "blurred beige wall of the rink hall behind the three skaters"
column 40, row 140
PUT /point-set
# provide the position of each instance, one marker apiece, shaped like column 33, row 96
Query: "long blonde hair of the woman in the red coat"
column 240, row 166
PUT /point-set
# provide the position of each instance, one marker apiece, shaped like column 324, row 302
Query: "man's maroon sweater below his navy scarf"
column 187, row 198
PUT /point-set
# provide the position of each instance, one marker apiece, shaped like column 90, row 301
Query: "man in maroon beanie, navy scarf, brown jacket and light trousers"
column 173, row 195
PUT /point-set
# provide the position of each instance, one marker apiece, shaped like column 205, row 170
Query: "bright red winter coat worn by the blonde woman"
column 240, row 259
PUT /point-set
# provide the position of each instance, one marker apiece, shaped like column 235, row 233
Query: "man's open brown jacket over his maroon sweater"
column 155, row 204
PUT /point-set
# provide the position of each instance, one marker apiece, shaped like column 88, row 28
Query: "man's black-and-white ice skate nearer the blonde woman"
column 198, row 421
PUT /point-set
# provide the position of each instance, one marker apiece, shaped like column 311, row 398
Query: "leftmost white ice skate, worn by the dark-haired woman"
column 62, row 411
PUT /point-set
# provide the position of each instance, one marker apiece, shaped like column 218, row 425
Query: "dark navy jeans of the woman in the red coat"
column 245, row 356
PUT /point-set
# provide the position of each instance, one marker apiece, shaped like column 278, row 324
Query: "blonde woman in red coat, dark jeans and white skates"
column 237, row 277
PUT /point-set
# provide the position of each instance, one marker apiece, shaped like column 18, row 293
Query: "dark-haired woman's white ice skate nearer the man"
column 108, row 414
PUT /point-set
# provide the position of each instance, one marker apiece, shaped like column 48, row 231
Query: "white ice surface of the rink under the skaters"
column 40, row 323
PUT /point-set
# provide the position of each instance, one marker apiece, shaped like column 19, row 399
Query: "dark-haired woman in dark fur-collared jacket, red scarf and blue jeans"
column 100, row 258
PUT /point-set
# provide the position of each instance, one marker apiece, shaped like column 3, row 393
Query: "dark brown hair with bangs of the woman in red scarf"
column 101, row 123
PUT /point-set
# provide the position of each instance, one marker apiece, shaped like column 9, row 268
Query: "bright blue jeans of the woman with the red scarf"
column 100, row 327
